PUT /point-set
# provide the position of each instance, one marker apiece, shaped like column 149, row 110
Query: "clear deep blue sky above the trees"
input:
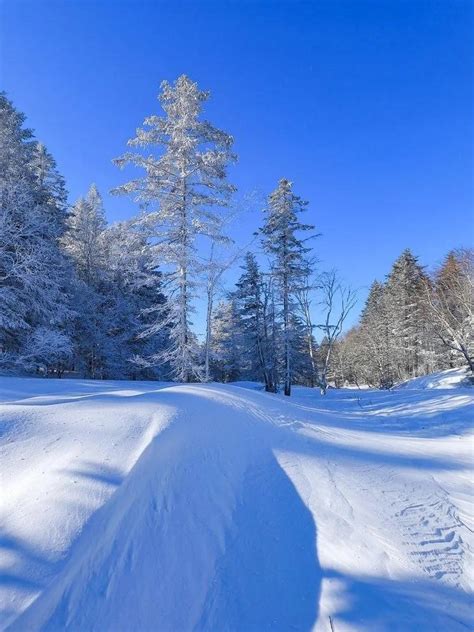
column 366, row 106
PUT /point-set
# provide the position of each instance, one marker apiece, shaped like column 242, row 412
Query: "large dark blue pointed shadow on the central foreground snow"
column 269, row 577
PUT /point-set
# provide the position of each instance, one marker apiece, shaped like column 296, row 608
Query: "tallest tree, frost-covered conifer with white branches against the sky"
column 184, row 186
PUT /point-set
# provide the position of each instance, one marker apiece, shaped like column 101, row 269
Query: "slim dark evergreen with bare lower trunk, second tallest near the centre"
column 287, row 253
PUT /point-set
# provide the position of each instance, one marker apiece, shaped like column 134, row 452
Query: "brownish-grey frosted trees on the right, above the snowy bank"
column 412, row 324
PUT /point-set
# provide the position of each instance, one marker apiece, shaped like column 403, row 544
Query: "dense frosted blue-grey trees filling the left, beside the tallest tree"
column 74, row 292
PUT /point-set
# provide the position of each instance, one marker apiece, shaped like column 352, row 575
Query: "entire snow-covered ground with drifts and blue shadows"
column 132, row 506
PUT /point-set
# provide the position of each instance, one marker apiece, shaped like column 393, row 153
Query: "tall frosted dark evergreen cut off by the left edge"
column 34, row 274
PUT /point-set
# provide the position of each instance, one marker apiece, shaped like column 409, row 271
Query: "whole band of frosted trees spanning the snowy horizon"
column 83, row 297
